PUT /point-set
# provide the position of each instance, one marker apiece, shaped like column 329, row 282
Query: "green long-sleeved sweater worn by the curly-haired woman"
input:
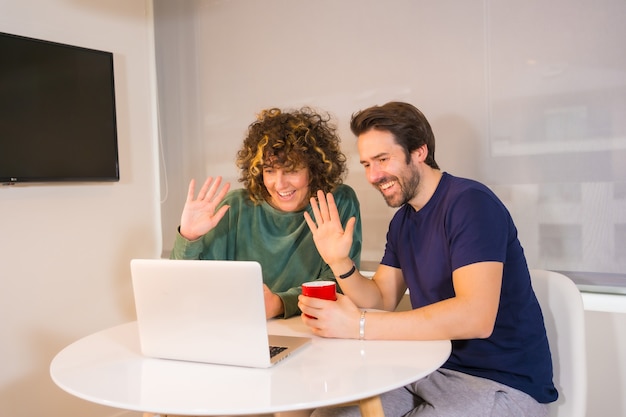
column 281, row 242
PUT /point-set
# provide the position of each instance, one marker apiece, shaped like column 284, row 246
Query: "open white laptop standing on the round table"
column 205, row 311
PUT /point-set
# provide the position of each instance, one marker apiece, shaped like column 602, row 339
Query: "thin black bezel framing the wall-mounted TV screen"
column 114, row 176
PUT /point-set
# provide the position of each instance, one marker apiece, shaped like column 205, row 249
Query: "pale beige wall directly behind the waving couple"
column 527, row 97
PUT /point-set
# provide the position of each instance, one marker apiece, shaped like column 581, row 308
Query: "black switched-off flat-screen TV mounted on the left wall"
column 57, row 112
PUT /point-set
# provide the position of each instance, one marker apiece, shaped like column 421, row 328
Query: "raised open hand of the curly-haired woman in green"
column 199, row 213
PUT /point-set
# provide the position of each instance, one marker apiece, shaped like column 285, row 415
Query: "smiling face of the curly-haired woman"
column 288, row 189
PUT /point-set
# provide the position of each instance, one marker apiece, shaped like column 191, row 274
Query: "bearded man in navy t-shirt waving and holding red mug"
column 453, row 244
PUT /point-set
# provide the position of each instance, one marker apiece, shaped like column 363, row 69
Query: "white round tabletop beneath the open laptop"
column 108, row 368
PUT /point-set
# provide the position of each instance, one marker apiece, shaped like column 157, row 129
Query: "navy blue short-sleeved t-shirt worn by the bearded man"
column 463, row 223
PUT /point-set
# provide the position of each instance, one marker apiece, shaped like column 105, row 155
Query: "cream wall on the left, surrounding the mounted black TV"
column 65, row 249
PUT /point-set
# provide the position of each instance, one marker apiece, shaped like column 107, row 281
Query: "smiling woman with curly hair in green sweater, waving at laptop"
column 286, row 157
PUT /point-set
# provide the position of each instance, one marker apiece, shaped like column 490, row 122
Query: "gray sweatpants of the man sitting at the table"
column 446, row 393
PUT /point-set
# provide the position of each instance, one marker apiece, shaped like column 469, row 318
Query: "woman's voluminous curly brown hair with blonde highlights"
column 291, row 140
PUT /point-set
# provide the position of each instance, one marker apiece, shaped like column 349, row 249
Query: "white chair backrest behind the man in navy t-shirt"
column 563, row 312
